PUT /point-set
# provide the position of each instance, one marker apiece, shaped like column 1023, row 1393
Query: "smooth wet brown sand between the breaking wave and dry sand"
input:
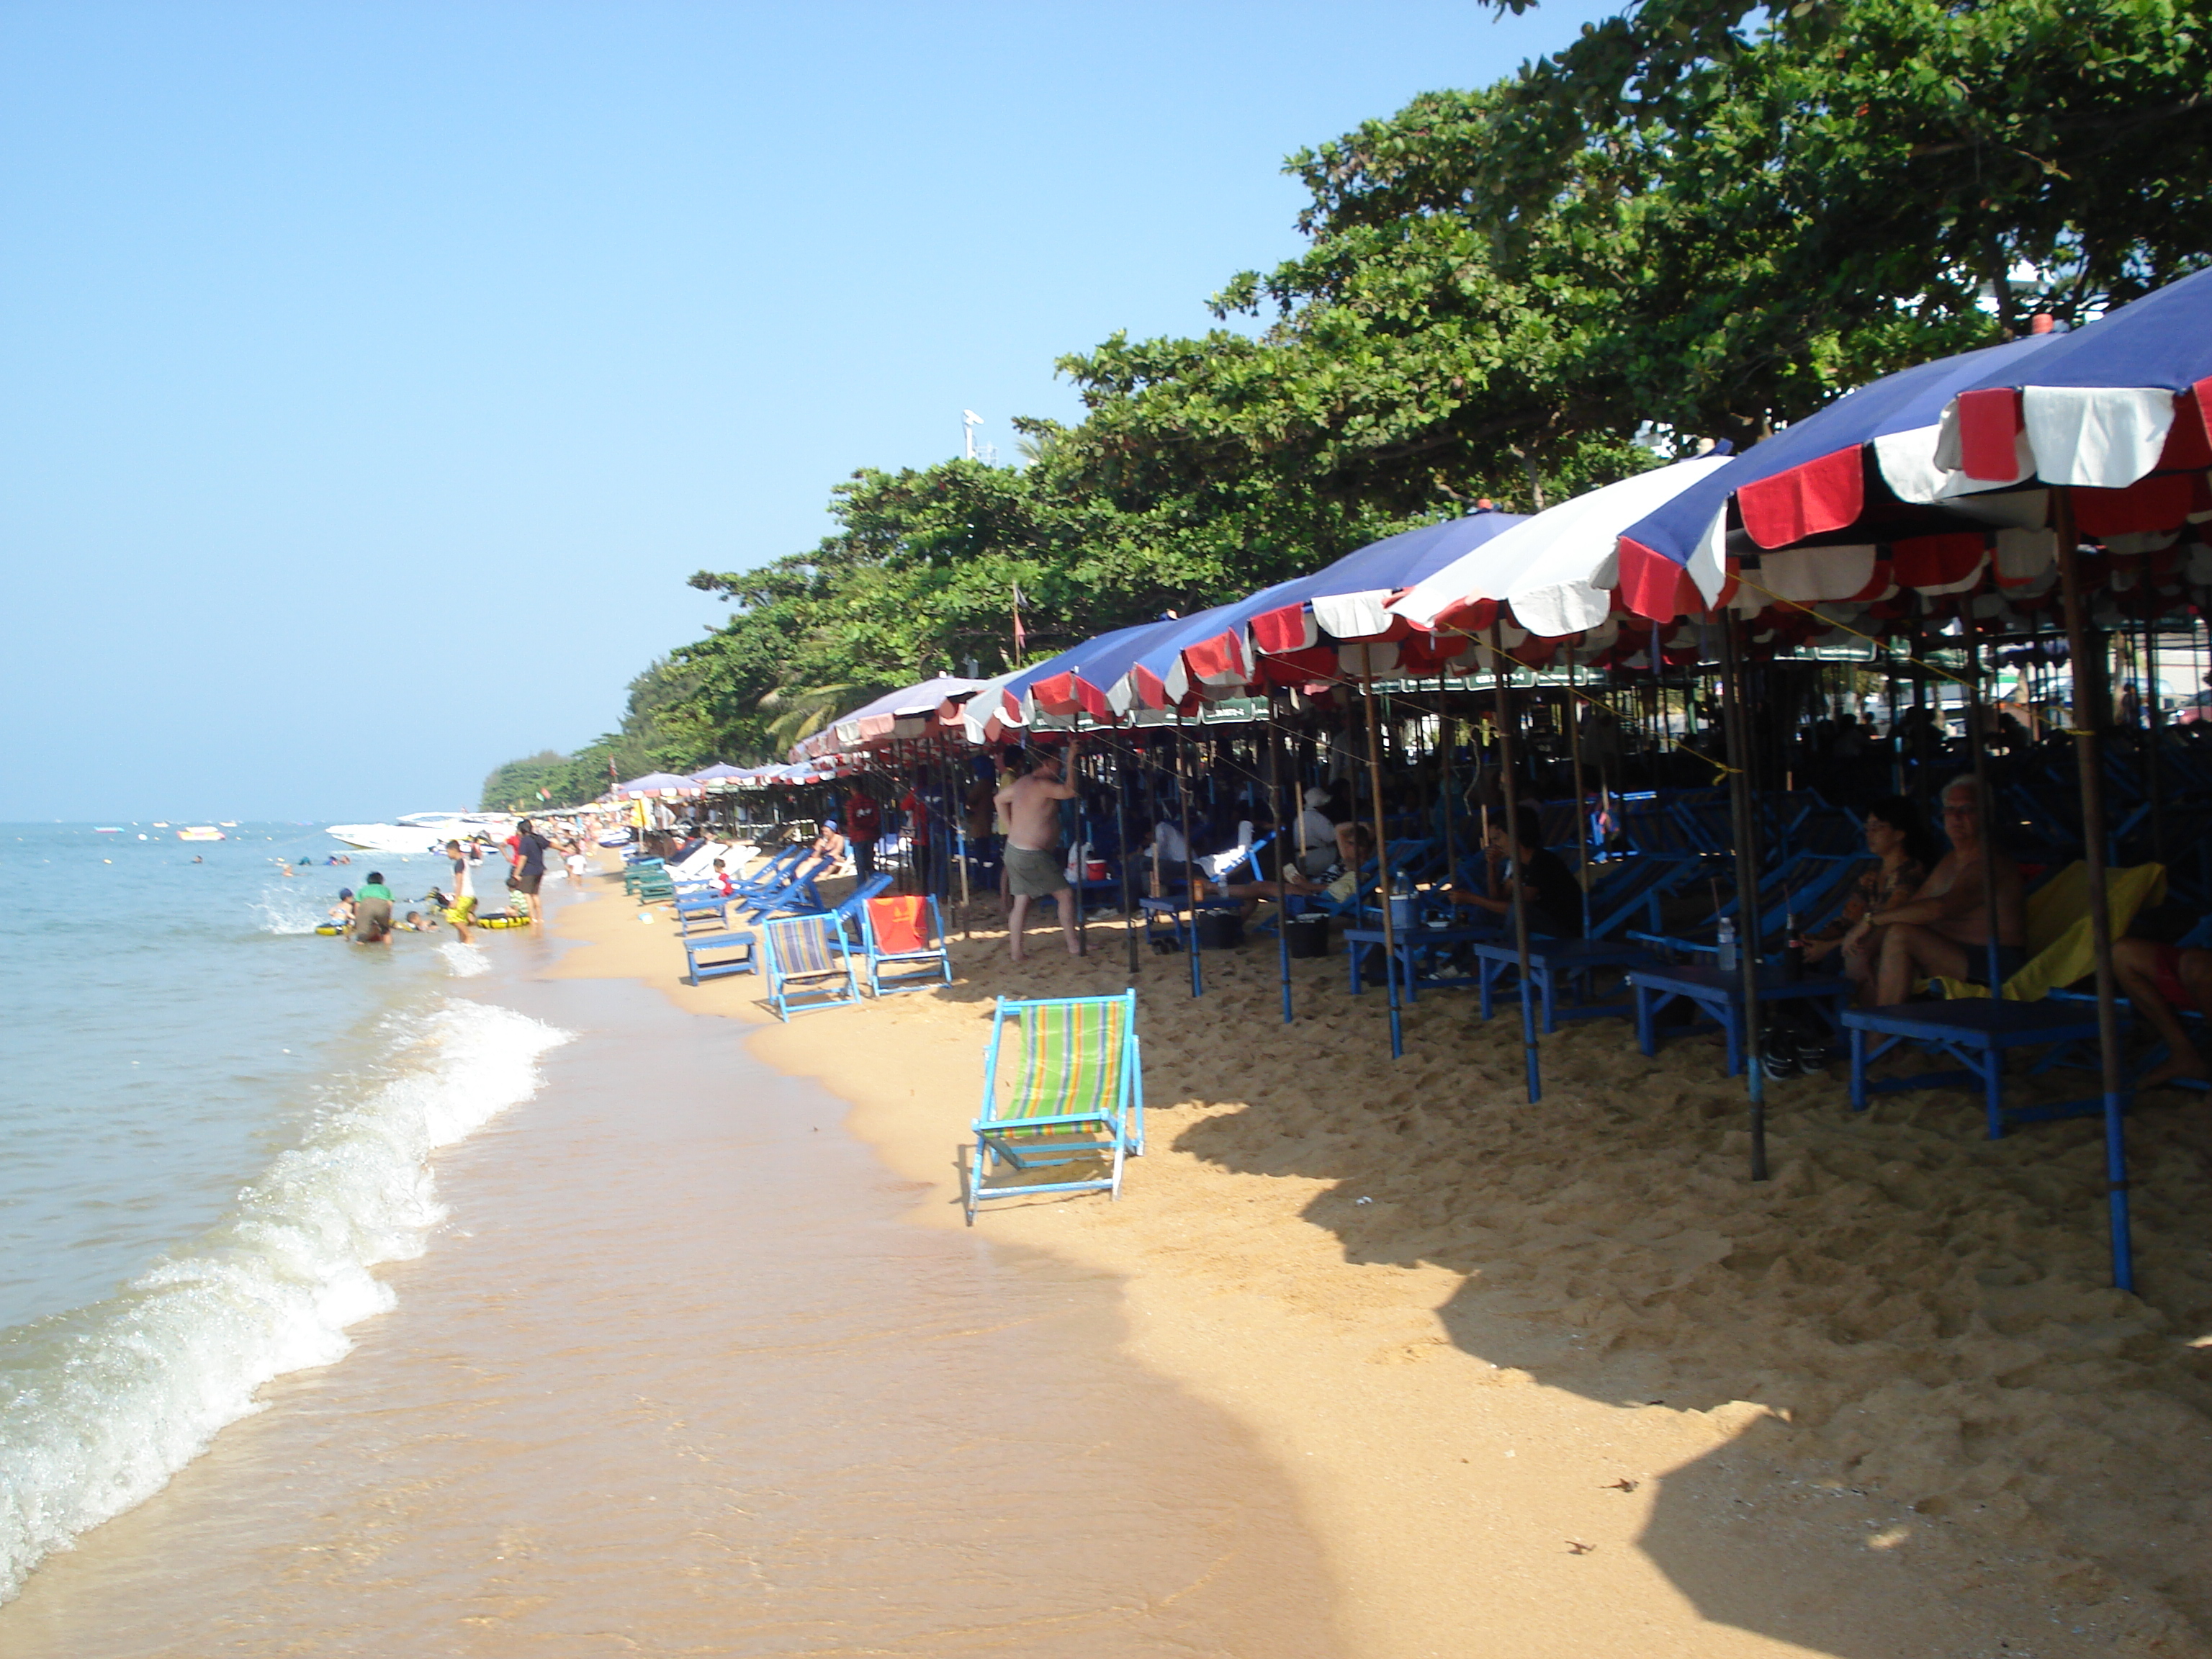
column 678, row 1379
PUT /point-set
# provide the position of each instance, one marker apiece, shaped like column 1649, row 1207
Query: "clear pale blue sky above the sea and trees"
column 375, row 375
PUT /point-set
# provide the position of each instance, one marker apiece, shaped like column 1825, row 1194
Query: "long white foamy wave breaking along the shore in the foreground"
column 101, row 1408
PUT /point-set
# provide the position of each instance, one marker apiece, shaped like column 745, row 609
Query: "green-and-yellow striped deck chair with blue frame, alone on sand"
column 1076, row 1096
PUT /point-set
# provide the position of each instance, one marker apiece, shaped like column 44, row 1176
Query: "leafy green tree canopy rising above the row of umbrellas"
column 1695, row 222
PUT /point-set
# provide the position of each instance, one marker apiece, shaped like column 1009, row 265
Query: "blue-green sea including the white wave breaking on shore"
column 218, row 1123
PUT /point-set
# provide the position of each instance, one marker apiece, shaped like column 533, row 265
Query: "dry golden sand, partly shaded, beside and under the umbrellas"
column 1558, row 1379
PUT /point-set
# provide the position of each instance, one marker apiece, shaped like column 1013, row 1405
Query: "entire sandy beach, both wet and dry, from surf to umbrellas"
column 1370, row 1361
